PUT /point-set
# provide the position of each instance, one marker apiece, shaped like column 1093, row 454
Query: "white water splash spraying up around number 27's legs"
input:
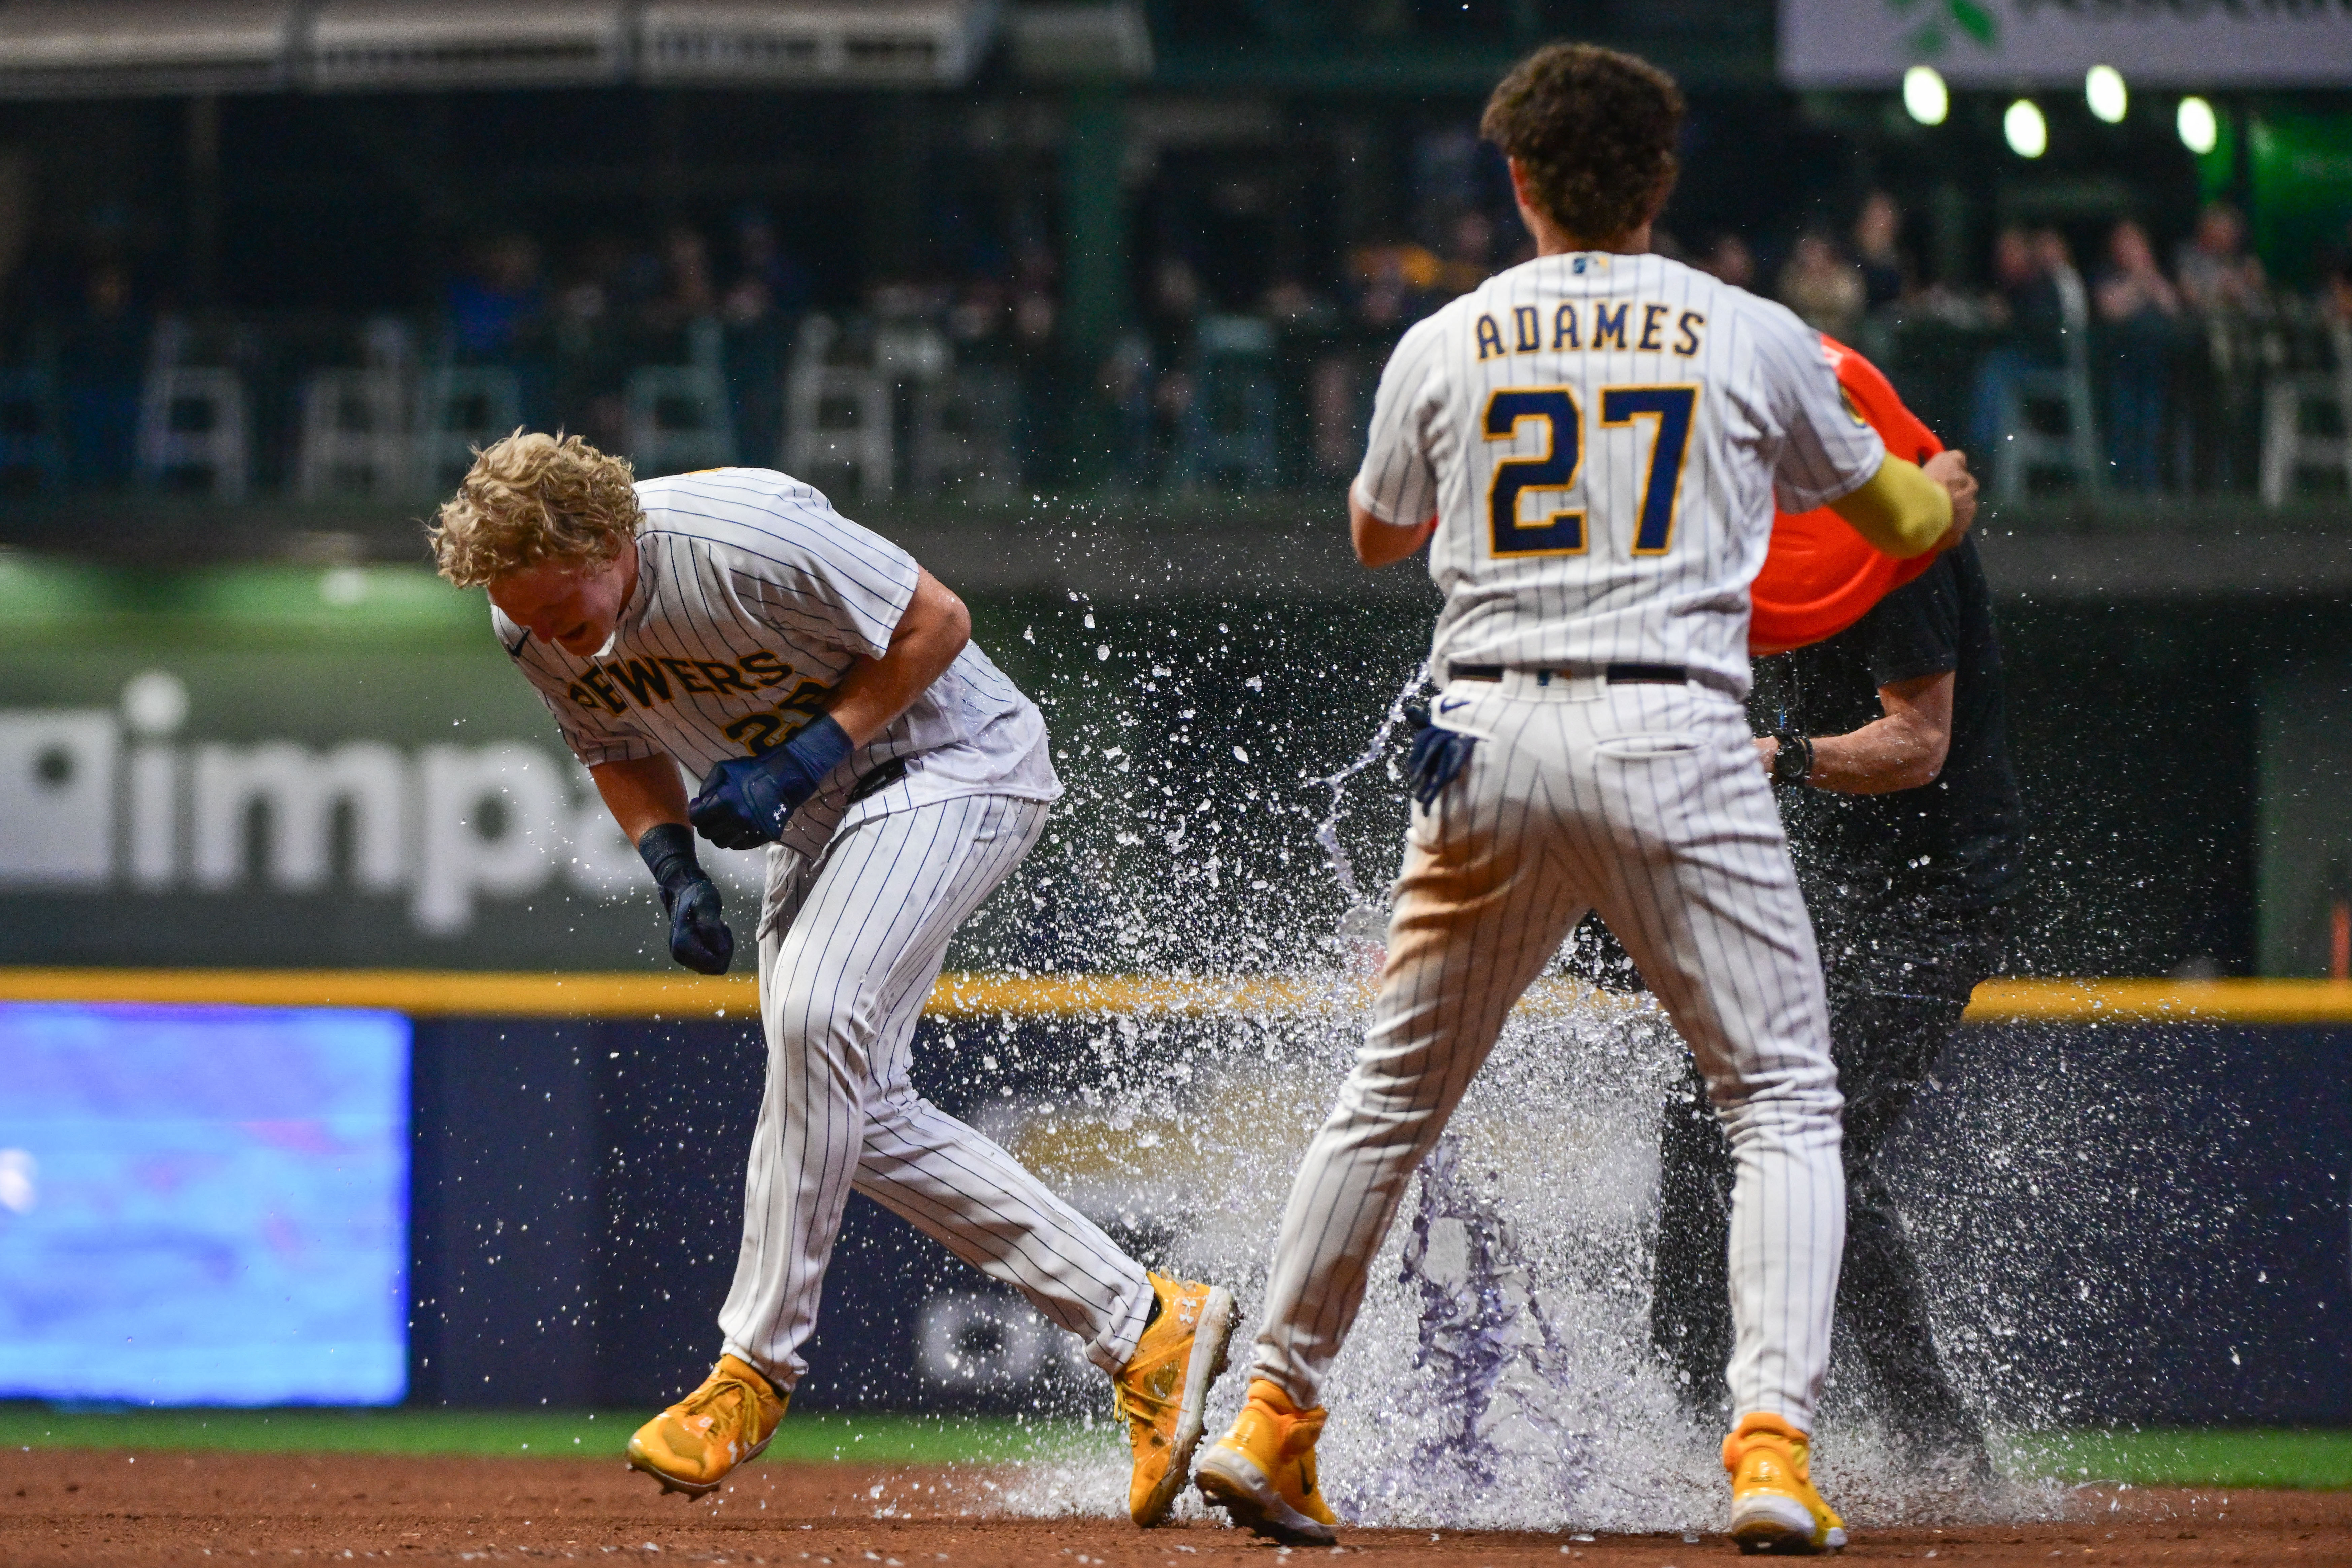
column 1502, row 1369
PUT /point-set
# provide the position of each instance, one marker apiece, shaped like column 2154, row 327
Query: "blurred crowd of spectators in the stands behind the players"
column 2160, row 375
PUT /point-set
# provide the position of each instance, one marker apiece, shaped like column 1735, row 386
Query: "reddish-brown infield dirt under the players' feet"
column 119, row 1510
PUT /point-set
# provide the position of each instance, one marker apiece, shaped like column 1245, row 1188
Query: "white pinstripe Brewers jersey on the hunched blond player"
column 754, row 596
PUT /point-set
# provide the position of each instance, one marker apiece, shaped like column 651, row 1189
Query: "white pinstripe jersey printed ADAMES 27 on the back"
column 1601, row 441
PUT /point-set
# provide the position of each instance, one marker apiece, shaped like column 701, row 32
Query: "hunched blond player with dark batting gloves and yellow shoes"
column 829, row 697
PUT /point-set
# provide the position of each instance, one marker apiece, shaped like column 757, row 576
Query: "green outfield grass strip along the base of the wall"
column 2163, row 1456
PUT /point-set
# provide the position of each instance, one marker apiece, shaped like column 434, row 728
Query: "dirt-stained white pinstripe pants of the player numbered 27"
column 1648, row 803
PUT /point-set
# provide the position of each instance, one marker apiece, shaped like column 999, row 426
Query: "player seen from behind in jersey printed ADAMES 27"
column 1593, row 445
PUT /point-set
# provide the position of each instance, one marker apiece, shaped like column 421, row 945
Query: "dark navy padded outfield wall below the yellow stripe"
column 2165, row 1245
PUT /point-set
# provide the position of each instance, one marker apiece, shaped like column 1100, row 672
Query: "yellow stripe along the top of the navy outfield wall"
column 457, row 993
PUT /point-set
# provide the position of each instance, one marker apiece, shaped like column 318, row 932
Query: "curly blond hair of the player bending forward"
column 535, row 500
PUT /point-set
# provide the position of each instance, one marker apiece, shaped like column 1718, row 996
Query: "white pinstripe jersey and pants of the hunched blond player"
column 754, row 598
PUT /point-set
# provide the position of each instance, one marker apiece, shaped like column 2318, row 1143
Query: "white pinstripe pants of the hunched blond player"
column 843, row 979
